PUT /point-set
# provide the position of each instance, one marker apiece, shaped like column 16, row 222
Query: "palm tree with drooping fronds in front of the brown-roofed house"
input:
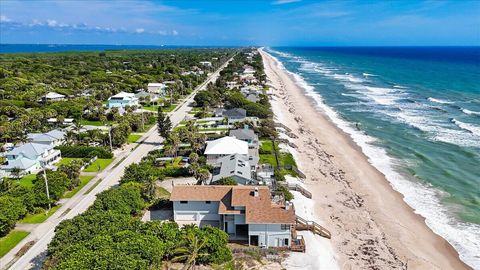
column 189, row 252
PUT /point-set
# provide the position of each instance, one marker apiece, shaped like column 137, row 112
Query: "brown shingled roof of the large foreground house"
column 258, row 209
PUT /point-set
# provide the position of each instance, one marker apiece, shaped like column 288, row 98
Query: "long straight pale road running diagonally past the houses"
column 43, row 234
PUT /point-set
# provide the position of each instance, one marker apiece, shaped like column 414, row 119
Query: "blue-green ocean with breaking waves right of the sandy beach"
column 415, row 112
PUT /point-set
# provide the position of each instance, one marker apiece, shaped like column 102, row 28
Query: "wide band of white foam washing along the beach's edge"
column 426, row 200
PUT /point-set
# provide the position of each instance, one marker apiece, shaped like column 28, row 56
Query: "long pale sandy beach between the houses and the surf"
column 372, row 227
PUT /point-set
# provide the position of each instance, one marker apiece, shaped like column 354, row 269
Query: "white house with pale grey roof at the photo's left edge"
column 30, row 158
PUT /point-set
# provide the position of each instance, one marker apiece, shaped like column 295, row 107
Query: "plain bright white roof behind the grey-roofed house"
column 226, row 146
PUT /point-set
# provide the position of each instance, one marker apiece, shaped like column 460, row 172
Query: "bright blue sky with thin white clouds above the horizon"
column 272, row 23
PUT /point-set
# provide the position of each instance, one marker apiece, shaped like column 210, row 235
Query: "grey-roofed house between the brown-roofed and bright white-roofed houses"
column 235, row 166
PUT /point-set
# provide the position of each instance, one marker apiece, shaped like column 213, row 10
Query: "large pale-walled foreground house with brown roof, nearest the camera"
column 246, row 213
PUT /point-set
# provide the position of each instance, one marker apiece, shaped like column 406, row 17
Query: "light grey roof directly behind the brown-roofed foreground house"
column 234, row 165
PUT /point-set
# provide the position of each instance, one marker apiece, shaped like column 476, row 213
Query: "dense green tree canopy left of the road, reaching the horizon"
column 87, row 80
